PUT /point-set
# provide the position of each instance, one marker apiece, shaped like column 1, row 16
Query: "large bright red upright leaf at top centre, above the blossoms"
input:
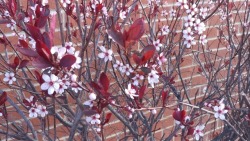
column 136, row 30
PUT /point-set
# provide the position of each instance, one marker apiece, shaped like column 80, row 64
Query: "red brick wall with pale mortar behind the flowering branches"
column 186, row 72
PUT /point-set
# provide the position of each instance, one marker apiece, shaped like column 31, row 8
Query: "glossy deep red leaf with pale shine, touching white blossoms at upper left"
column 43, row 50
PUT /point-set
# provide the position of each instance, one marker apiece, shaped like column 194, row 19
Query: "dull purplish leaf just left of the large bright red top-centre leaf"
column 116, row 36
